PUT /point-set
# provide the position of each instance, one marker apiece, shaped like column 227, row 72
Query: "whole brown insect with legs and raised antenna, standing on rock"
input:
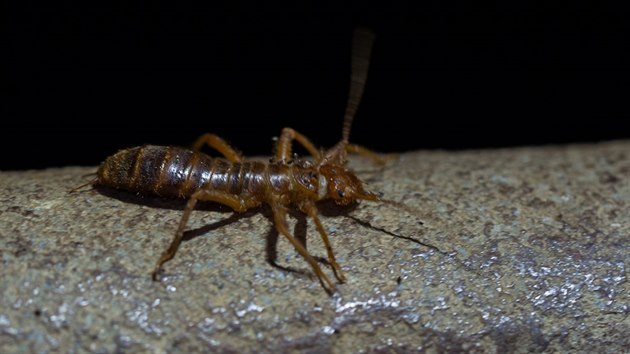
column 174, row 172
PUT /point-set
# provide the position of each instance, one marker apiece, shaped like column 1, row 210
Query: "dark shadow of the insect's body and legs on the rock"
column 327, row 208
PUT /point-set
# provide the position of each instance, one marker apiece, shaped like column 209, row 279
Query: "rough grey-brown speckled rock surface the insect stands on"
column 511, row 250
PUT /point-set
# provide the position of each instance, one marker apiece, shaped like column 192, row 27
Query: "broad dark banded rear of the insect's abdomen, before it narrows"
column 165, row 171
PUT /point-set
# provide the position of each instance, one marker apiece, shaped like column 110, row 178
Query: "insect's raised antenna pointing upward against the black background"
column 362, row 42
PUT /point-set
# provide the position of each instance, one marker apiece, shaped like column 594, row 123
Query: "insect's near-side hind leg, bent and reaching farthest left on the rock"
column 208, row 195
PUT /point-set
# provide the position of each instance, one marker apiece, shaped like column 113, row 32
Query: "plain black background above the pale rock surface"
column 86, row 79
